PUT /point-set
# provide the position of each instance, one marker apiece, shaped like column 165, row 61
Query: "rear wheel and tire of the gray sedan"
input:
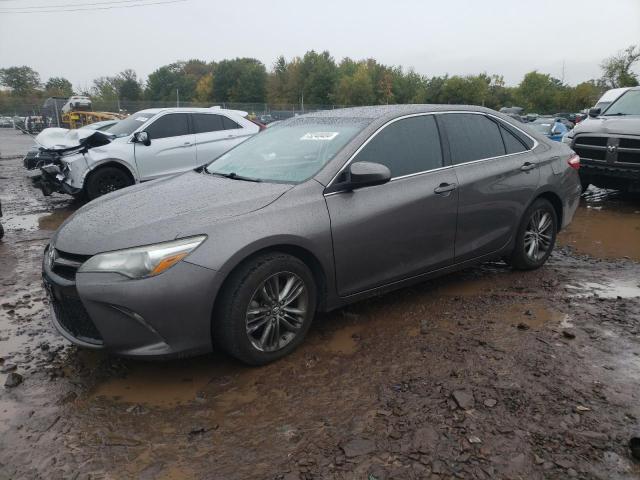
column 528, row 257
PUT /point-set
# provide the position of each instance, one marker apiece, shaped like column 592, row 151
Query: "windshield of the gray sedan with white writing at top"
column 289, row 153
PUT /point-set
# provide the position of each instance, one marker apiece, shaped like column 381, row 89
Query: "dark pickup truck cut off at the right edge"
column 609, row 144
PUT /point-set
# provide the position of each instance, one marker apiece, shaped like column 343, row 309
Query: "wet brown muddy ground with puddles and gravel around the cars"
column 486, row 374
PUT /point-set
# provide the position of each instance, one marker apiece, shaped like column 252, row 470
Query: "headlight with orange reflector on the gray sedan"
column 140, row 262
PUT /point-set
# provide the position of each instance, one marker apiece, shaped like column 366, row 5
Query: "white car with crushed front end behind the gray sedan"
column 146, row 145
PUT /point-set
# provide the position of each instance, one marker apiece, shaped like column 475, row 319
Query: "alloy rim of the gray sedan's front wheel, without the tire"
column 277, row 311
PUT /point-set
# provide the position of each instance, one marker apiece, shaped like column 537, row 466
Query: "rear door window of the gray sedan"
column 472, row 137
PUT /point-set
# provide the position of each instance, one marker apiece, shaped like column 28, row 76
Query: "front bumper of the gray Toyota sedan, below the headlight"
column 164, row 316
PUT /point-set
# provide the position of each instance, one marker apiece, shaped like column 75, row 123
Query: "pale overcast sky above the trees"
column 507, row 37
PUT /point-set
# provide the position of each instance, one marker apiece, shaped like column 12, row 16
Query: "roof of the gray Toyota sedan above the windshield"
column 389, row 112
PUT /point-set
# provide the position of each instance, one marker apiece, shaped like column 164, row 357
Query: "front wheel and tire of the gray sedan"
column 244, row 305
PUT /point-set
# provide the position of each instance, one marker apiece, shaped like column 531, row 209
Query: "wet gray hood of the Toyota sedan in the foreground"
column 159, row 211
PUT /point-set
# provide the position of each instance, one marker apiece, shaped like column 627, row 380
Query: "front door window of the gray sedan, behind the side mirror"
column 407, row 146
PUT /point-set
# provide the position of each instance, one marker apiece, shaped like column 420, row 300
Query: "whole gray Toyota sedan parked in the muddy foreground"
column 323, row 210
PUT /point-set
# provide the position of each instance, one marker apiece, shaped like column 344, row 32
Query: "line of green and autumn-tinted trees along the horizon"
column 316, row 78
